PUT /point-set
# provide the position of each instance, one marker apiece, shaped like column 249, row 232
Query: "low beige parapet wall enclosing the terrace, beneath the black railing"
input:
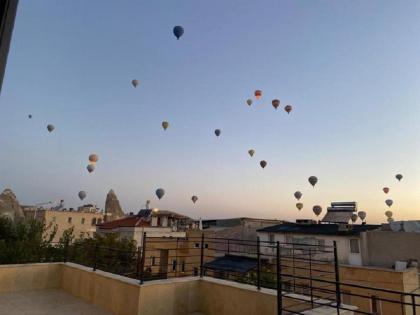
column 124, row 296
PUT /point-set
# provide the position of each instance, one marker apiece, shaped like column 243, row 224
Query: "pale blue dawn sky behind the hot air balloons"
column 351, row 70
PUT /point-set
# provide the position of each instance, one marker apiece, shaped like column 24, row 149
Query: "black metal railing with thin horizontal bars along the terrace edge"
column 311, row 272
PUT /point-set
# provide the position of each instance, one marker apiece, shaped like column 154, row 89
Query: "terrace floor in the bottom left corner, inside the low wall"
column 46, row 302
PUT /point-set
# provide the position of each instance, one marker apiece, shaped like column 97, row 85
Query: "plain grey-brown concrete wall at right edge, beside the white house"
column 404, row 245
